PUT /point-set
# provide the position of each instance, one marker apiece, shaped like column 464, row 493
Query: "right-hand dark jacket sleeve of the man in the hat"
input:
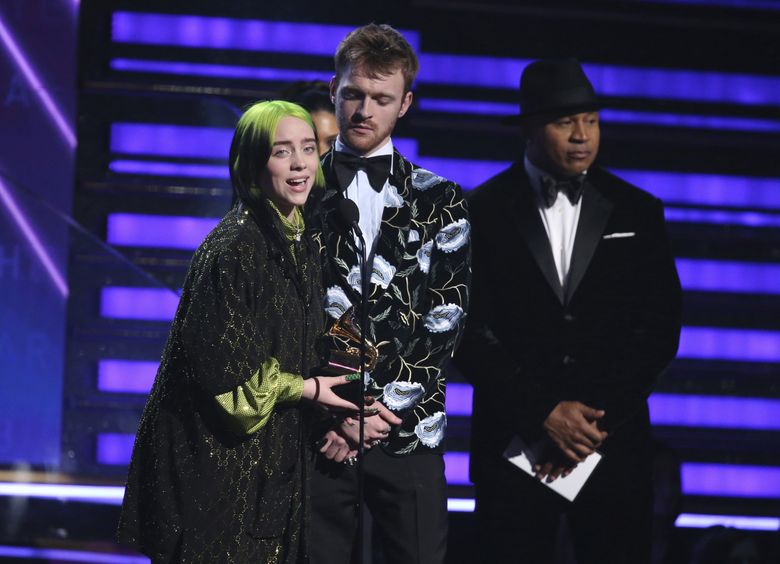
column 654, row 330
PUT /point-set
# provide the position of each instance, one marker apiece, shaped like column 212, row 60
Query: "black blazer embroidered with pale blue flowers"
column 418, row 292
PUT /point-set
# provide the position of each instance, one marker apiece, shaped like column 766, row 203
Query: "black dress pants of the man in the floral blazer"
column 406, row 496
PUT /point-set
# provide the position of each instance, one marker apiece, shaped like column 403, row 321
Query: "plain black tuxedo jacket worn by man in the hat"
column 529, row 345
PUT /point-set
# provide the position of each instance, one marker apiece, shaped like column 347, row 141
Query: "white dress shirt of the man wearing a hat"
column 560, row 222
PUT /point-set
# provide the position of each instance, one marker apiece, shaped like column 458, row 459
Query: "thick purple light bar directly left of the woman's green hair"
column 165, row 140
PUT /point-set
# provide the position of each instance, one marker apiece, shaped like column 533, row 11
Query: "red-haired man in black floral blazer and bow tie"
column 417, row 233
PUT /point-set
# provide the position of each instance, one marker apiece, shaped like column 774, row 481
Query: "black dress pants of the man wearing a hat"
column 610, row 521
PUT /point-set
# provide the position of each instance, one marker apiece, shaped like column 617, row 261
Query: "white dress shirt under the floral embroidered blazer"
column 370, row 202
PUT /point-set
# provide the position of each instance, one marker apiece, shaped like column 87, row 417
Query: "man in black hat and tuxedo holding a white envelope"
column 575, row 312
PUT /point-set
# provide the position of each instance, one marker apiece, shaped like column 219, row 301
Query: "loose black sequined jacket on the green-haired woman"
column 195, row 492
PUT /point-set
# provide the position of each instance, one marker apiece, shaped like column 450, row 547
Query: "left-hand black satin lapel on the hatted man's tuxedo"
column 533, row 232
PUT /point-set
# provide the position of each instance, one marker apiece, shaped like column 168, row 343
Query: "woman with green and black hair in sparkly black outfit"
column 218, row 470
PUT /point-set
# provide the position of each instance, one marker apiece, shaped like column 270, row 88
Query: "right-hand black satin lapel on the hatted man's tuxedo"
column 594, row 214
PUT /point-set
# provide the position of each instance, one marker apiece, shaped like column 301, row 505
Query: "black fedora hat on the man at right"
column 550, row 88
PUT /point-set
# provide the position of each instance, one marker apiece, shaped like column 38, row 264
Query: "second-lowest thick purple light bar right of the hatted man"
column 680, row 410
